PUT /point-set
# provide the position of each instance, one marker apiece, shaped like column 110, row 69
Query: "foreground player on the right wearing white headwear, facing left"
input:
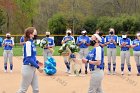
column 95, row 57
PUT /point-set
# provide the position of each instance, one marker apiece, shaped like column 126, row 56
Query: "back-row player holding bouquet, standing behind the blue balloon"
column 46, row 51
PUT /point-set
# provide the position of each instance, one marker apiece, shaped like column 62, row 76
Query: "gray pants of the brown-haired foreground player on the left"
column 29, row 77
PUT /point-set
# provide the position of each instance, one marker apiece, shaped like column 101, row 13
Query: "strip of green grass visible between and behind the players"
column 17, row 50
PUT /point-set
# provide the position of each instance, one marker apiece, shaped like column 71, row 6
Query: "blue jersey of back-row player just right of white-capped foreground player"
column 108, row 38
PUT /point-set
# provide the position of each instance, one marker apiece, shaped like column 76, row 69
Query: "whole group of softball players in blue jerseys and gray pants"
column 95, row 57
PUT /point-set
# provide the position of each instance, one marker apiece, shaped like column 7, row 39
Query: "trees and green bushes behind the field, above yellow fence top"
column 58, row 15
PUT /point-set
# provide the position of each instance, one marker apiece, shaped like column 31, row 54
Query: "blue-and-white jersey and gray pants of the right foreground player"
column 97, row 73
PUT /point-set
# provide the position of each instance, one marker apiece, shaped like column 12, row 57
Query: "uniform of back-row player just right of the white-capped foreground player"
column 111, row 51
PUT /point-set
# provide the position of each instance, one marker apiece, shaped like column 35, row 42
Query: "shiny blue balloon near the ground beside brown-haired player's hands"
column 50, row 66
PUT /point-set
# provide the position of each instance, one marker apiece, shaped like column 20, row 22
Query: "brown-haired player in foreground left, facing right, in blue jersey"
column 30, row 64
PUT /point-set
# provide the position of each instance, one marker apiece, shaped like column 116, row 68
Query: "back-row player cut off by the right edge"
column 136, row 51
